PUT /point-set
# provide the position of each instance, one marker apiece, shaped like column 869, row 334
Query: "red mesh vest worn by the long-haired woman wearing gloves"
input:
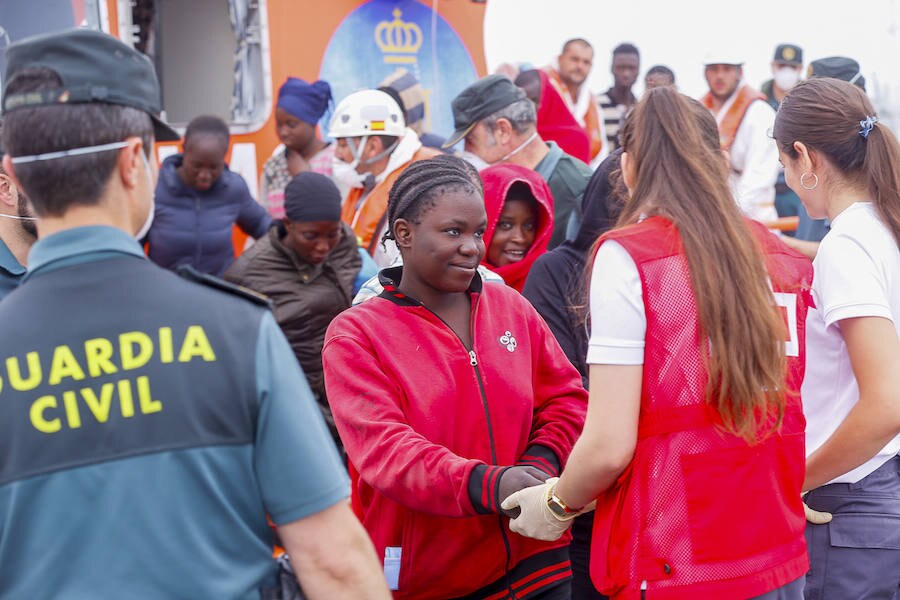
column 699, row 513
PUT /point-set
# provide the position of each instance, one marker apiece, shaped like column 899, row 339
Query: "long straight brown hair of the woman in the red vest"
column 680, row 175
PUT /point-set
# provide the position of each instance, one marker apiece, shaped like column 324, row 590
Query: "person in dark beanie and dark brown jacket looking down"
column 306, row 265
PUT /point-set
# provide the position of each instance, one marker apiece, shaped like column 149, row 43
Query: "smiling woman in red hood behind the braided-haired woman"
column 519, row 208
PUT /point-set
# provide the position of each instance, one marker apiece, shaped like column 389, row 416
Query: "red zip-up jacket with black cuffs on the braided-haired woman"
column 429, row 426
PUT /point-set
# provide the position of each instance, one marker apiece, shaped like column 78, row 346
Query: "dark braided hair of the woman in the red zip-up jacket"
column 423, row 182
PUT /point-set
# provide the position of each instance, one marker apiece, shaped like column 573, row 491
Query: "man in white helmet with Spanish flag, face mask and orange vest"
column 373, row 146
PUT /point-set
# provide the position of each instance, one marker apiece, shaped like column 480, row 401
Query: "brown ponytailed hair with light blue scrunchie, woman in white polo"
column 825, row 115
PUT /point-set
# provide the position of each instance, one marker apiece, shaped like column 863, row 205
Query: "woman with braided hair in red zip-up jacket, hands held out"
column 449, row 395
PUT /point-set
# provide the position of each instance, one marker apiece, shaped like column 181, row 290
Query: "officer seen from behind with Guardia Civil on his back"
column 148, row 423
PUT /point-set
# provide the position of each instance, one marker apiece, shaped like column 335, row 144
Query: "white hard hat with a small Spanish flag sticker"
column 367, row 112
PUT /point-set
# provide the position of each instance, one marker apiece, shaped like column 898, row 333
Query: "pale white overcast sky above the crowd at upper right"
column 679, row 33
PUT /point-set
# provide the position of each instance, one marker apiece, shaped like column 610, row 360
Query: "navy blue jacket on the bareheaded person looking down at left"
column 194, row 228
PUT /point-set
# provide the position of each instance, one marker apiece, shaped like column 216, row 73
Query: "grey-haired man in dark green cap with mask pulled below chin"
column 499, row 124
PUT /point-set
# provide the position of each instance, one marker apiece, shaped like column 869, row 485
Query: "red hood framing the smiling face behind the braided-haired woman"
column 498, row 179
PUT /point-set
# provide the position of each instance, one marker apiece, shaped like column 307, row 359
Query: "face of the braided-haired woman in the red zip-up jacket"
column 445, row 247
